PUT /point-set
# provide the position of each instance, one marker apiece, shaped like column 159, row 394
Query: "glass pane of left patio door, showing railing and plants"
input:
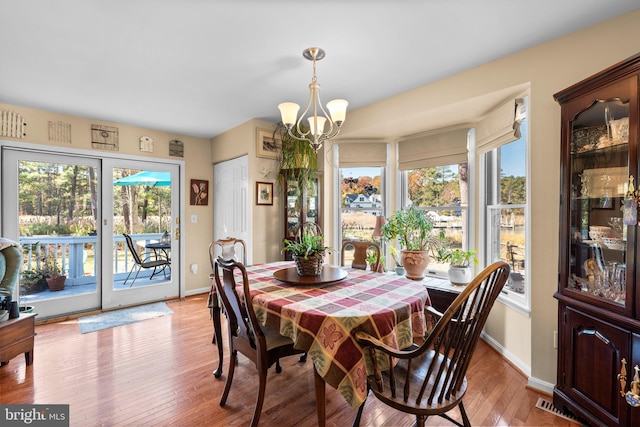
column 57, row 227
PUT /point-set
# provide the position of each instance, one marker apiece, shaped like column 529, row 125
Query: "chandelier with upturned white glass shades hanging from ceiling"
column 322, row 126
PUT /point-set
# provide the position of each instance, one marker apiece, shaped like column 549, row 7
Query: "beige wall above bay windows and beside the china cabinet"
column 548, row 68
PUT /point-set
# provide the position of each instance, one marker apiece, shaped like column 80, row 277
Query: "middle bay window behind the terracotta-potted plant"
column 443, row 192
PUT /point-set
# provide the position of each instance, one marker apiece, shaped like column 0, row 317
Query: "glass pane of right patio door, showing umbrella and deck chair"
column 142, row 210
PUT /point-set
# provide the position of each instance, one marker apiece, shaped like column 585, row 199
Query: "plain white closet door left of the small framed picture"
column 231, row 201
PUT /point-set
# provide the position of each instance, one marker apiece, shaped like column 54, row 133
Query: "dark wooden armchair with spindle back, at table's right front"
column 430, row 378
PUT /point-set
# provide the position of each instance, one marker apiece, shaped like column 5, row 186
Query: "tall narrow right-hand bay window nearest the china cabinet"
column 505, row 202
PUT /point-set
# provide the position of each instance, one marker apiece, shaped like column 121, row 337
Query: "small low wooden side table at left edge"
column 16, row 336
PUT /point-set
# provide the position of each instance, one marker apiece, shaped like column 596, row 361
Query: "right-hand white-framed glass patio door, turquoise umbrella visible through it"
column 142, row 200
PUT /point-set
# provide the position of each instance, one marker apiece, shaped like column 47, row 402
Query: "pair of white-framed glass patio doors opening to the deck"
column 67, row 209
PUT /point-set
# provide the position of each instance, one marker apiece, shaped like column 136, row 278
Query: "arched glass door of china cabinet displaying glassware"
column 599, row 181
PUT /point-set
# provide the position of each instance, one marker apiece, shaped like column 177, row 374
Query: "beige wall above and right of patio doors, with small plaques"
column 197, row 152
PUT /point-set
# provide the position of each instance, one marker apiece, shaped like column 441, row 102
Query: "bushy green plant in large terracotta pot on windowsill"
column 414, row 230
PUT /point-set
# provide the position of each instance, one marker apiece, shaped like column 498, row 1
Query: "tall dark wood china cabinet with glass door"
column 599, row 279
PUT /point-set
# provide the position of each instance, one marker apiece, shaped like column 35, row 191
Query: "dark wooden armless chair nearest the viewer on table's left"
column 262, row 346
